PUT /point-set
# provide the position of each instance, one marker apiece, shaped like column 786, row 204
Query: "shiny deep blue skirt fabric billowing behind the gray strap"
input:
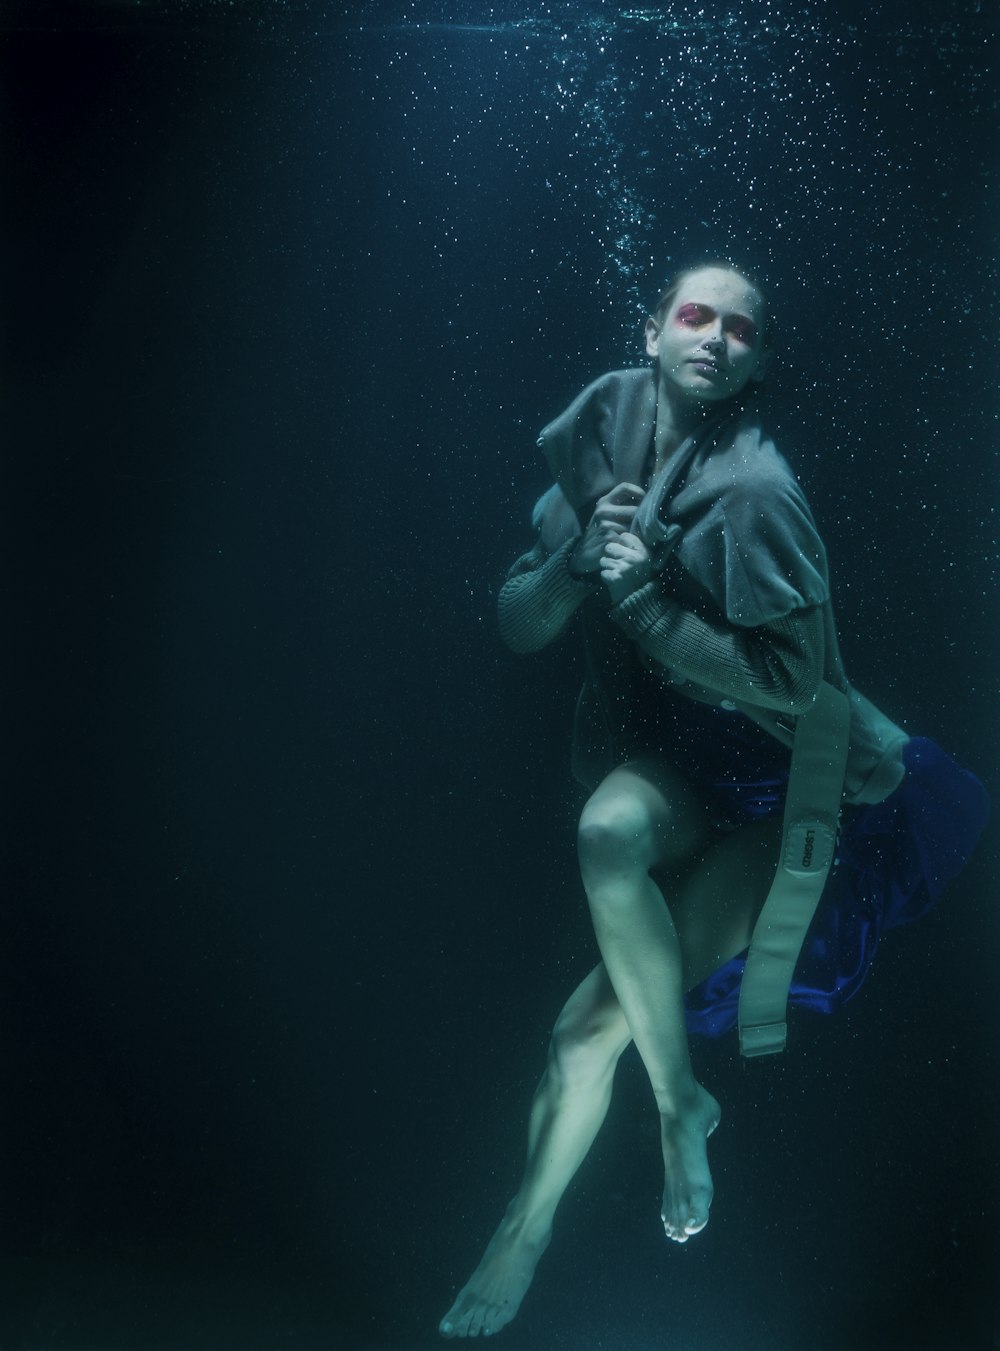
column 893, row 863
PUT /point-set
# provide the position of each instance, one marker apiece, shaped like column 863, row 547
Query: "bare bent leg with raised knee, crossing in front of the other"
column 643, row 817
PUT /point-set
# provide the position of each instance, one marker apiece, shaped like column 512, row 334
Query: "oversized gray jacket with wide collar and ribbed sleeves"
column 741, row 617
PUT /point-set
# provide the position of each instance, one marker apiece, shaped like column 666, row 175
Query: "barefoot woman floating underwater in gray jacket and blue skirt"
column 683, row 540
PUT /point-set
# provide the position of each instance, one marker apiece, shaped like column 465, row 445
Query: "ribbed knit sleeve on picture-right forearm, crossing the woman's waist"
column 776, row 665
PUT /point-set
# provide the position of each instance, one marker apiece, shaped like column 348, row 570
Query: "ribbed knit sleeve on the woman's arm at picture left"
column 540, row 598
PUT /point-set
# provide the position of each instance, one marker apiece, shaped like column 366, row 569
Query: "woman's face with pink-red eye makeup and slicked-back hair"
column 711, row 342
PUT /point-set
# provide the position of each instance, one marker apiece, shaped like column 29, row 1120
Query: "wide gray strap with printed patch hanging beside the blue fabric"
column 813, row 805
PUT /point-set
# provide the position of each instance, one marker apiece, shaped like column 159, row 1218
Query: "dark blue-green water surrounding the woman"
column 290, row 884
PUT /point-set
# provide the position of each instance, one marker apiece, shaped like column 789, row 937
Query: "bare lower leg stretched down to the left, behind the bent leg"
column 567, row 1113
